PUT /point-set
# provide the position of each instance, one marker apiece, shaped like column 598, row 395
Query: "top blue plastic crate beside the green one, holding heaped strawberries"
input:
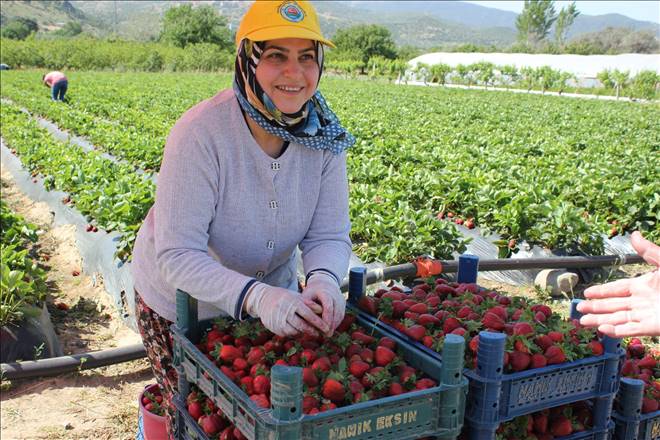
column 495, row 397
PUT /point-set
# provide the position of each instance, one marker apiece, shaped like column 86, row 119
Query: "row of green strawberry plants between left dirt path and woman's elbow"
column 112, row 195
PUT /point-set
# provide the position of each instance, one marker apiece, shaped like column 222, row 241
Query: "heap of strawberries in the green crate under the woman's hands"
column 349, row 367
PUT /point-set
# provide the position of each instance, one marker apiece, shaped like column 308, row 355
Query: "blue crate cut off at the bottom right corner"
column 630, row 423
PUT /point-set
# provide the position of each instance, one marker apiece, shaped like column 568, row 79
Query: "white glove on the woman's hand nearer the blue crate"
column 323, row 288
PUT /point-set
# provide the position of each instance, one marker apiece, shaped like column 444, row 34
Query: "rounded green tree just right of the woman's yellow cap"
column 367, row 40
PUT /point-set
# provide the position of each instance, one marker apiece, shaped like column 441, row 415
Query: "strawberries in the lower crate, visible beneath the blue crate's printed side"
column 548, row 424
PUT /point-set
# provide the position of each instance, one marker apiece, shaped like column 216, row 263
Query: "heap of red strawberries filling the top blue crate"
column 536, row 336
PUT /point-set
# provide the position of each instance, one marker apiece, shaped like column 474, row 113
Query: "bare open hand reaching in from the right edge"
column 628, row 307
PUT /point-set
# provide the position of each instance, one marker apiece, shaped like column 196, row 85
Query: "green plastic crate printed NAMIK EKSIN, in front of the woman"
column 436, row 411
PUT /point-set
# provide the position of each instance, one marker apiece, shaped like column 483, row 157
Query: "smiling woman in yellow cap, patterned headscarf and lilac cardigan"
column 248, row 177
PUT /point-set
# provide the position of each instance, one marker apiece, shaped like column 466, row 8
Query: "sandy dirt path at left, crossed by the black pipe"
column 91, row 404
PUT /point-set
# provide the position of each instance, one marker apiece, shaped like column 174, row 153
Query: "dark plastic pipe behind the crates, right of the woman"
column 410, row 269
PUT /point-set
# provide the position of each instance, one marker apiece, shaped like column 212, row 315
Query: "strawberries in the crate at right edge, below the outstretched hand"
column 643, row 363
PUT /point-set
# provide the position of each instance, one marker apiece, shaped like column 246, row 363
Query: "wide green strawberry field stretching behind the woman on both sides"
column 559, row 173
